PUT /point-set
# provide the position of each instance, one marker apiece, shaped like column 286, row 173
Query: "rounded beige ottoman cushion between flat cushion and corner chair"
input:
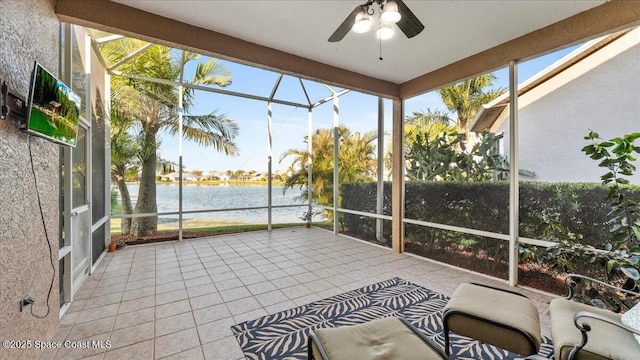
column 500, row 318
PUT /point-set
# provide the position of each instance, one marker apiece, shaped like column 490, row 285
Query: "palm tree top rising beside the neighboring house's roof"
column 466, row 97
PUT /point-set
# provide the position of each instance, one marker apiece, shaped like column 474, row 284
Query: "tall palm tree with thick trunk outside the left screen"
column 153, row 106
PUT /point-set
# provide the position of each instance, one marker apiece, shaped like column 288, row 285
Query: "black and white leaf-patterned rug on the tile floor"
column 284, row 335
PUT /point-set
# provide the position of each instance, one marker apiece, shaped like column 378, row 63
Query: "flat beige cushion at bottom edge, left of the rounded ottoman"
column 386, row 338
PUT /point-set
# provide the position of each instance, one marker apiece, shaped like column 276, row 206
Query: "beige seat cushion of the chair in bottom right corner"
column 605, row 341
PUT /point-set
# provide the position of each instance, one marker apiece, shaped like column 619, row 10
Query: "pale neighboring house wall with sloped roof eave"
column 601, row 93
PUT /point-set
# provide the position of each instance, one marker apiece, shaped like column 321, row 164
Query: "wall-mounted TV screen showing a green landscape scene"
column 54, row 109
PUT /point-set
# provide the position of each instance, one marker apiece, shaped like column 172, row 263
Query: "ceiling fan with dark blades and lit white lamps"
column 390, row 12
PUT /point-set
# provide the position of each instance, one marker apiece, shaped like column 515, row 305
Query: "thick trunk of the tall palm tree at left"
column 147, row 193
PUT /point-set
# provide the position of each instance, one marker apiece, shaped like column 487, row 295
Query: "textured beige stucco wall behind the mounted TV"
column 29, row 31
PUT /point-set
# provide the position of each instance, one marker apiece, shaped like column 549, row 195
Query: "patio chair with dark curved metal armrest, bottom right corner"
column 580, row 331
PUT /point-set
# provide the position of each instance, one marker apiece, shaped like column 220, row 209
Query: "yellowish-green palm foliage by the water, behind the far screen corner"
column 357, row 159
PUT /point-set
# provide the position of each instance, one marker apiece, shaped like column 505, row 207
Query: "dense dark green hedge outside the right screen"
column 550, row 211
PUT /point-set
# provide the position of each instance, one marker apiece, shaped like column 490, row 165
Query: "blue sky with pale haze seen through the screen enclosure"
column 358, row 112
